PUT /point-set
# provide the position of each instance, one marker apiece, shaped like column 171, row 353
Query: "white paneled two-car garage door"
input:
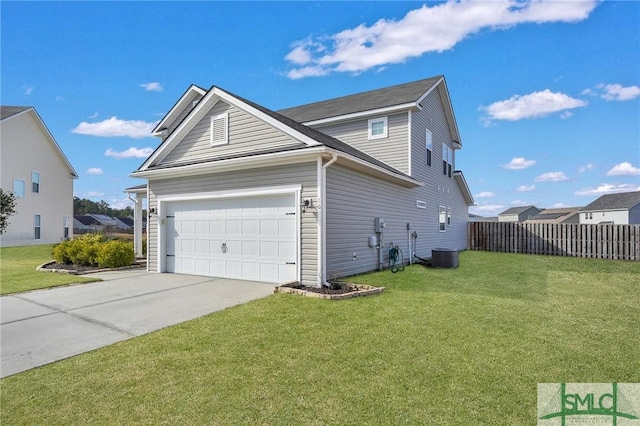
column 252, row 238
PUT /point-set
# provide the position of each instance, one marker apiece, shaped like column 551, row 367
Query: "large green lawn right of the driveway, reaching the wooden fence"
column 439, row 346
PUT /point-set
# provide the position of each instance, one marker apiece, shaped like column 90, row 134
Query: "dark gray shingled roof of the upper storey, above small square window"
column 359, row 102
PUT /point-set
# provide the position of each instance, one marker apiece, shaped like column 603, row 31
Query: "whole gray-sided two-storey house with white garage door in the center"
column 237, row 190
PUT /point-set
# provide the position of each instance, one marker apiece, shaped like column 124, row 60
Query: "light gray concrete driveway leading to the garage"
column 44, row 326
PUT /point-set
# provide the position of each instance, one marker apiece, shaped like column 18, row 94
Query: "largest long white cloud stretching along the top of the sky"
column 428, row 29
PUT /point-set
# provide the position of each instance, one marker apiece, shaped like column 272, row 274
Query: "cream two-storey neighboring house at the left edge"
column 35, row 169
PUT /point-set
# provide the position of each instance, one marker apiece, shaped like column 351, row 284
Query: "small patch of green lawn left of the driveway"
column 18, row 270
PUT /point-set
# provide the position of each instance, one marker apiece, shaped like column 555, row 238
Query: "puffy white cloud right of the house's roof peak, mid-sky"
column 533, row 105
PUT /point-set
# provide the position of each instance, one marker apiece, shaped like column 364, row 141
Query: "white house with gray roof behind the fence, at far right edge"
column 621, row 208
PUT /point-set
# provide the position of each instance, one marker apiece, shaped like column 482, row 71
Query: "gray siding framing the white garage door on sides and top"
column 304, row 174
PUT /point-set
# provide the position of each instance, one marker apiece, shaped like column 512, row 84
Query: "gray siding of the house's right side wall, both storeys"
column 354, row 200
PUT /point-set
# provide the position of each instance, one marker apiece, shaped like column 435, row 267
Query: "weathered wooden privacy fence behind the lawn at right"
column 558, row 239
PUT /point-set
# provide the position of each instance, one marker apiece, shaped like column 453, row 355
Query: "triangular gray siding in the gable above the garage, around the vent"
column 246, row 134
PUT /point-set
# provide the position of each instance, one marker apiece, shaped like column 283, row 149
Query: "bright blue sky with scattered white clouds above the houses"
column 546, row 94
